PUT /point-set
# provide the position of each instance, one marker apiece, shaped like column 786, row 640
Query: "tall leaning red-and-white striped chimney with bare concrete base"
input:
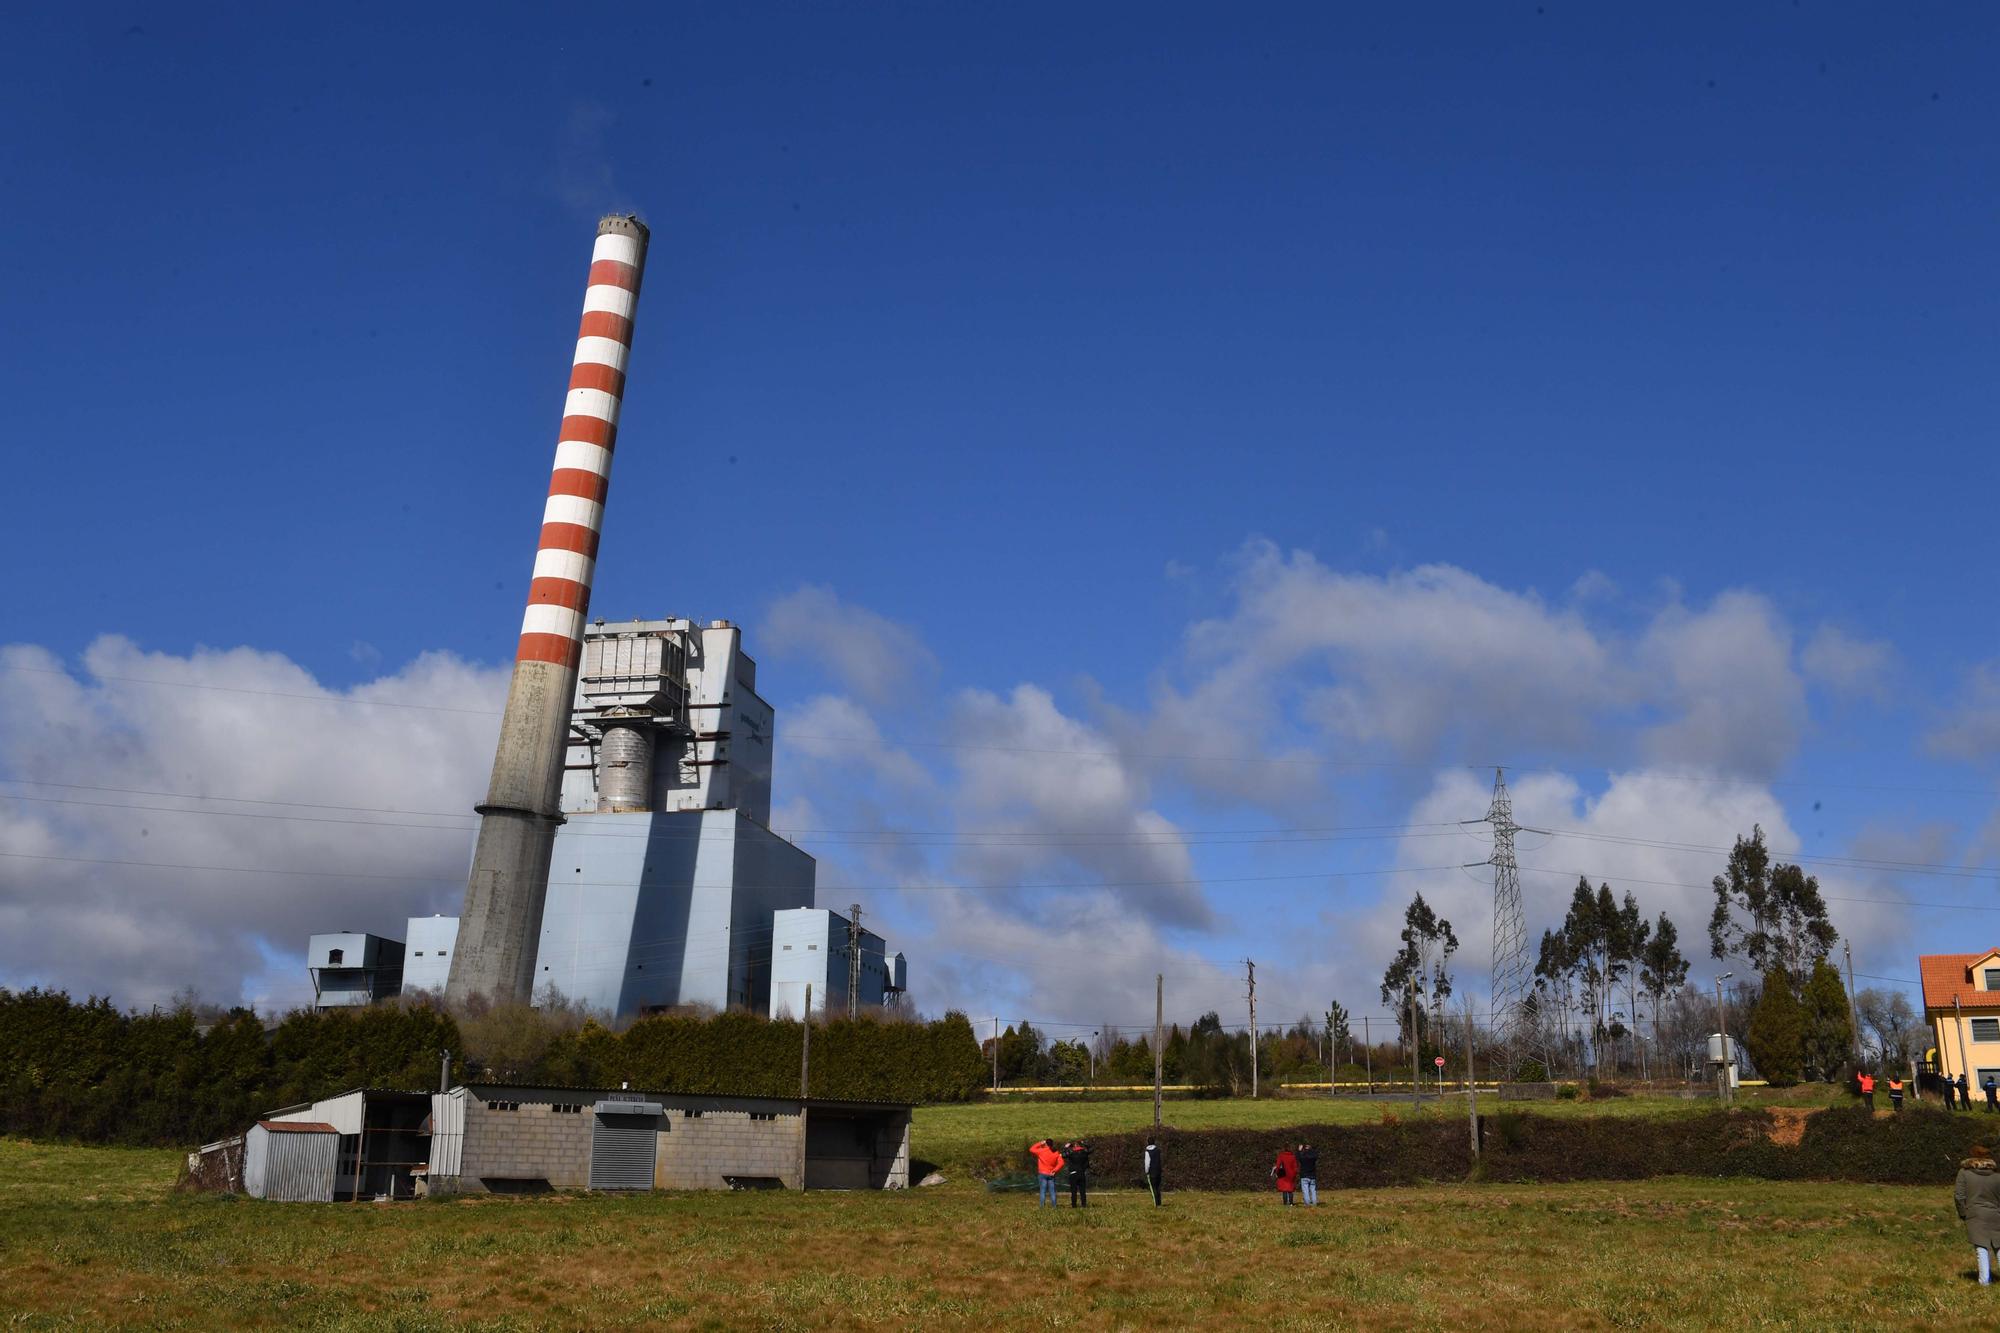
column 503, row 916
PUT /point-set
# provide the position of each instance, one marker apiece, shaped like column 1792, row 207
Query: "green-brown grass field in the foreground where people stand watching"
column 93, row 1238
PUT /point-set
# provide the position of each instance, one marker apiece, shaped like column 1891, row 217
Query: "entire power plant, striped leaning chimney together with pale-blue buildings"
column 625, row 856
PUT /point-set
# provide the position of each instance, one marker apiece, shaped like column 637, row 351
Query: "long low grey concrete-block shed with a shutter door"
column 525, row 1140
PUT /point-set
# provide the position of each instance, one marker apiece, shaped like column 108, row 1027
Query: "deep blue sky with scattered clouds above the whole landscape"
column 1031, row 343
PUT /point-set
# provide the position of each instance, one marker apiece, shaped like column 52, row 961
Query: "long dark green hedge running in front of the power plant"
column 85, row 1072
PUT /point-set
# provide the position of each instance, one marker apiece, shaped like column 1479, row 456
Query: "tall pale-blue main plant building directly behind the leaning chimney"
column 665, row 876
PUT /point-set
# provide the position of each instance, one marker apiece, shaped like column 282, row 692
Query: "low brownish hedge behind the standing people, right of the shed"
column 1917, row 1148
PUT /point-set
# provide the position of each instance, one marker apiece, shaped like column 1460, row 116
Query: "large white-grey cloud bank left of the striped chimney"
column 369, row 806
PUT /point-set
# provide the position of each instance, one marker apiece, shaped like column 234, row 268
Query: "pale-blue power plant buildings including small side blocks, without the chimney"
column 667, row 888
